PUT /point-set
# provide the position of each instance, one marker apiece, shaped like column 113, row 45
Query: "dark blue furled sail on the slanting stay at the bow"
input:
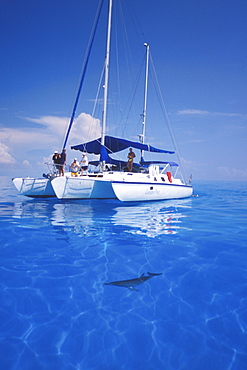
column 85, row 64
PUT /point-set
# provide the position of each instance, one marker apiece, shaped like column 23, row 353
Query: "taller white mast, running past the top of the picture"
column 106, row 82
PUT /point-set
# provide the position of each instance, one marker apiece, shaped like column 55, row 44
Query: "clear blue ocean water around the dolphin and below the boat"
column 55, row 256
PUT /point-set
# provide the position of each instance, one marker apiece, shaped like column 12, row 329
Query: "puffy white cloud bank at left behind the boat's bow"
column 29, row 148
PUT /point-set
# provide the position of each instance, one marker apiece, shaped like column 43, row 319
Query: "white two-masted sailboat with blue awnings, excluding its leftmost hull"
column 153, row 180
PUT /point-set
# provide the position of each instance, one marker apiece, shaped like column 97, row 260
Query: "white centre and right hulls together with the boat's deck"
column 125, row 186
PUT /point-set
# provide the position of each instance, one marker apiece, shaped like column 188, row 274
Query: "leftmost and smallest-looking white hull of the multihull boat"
column 34, row 188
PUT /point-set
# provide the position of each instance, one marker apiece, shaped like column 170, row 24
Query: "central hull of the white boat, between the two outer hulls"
column 82, row 188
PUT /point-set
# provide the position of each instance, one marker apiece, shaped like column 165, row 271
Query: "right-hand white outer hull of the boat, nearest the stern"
column 136, row 192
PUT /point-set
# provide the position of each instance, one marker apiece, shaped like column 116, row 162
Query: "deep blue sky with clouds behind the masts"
column 200, row 55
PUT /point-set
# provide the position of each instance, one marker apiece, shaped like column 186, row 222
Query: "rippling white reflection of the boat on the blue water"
column 91, row 218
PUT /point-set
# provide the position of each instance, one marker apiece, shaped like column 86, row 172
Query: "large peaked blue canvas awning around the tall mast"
column 114, row 144
